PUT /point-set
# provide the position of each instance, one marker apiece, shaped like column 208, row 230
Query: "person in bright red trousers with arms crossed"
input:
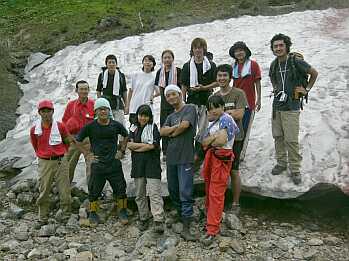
column 217, row 164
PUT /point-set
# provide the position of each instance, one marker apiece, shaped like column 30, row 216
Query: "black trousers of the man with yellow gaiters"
column 102, row 172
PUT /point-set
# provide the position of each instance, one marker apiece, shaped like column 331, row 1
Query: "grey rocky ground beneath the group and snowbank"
column 250, row 237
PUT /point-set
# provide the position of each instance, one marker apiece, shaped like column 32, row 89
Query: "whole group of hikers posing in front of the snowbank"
column 206, row 114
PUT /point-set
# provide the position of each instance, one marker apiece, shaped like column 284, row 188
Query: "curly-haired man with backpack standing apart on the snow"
column 289, row 78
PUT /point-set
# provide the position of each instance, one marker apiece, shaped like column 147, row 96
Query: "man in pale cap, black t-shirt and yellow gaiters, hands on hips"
column 106, row 165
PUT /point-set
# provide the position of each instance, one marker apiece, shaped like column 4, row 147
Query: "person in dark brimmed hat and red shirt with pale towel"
column 247, row 77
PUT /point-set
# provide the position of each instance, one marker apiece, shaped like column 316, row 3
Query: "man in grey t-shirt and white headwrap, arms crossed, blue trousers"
column 180, row 127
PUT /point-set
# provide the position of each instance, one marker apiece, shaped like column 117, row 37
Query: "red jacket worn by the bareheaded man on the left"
column 77, row 115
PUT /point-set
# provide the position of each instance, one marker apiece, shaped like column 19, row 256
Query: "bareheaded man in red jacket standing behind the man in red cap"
column 77, row 114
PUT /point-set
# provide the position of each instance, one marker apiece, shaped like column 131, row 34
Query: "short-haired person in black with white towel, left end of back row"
column 112, row 86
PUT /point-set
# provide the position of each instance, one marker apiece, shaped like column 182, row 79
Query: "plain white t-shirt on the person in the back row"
column 142, row 85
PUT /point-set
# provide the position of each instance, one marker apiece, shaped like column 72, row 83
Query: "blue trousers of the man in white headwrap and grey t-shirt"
column 180, row 179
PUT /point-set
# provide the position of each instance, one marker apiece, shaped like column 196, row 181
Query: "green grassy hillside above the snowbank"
column 50, row 25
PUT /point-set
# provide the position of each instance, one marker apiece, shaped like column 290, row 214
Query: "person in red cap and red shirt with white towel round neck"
column 48, row 138
